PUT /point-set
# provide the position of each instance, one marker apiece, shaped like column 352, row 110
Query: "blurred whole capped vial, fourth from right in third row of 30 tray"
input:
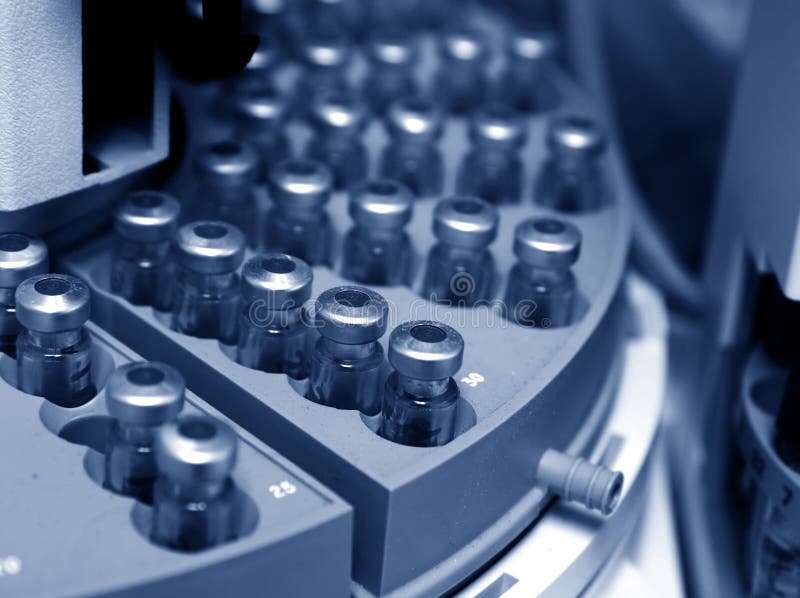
column 339, row 119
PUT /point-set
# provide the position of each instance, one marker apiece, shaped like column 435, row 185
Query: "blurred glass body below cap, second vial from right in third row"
column 493, row 176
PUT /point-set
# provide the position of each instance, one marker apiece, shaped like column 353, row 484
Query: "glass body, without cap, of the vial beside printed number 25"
column 191, row 521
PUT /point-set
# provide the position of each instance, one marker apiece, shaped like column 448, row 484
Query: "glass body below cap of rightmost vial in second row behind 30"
column 539, row 297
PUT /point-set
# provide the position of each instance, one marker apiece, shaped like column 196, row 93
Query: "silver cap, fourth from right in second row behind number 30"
column 300, row 185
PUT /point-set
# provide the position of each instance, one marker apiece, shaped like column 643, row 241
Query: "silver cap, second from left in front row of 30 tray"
column 210, row 246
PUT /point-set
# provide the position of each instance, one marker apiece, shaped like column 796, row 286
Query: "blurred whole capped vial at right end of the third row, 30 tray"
column 571, row 179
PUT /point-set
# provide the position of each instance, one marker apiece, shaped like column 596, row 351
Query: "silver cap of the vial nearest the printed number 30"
column 426, row 350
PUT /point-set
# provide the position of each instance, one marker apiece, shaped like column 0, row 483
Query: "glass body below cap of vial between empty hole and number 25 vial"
column 130, row 463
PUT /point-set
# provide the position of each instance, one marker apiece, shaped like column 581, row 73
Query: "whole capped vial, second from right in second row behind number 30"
column 460, row 267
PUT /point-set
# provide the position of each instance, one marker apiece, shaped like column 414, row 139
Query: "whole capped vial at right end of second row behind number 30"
column 541, row 286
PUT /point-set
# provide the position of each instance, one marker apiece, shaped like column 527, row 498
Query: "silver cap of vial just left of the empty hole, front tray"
column 51, row 303
